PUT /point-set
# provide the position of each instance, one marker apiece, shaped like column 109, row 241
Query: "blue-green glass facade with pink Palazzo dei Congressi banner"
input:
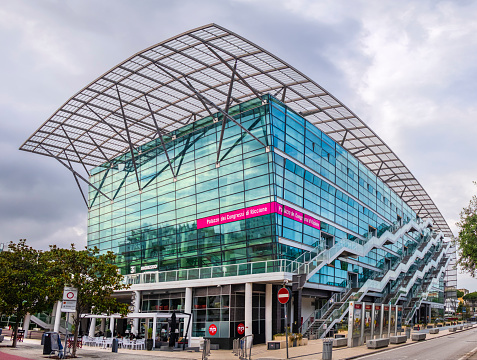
column 157, row 227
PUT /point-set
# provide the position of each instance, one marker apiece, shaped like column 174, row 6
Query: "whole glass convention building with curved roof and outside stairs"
column 218, row 174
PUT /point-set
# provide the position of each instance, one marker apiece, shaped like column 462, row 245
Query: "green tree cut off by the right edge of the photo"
column 467, row 240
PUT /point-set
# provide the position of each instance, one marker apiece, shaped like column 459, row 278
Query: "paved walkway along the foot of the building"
column 31, row 349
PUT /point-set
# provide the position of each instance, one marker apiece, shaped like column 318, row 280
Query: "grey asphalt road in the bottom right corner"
column 451, row 347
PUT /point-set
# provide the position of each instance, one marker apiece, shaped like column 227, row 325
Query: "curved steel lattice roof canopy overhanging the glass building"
column 188, row 76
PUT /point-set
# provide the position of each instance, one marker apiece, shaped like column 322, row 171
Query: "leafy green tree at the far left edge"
column 27, row 281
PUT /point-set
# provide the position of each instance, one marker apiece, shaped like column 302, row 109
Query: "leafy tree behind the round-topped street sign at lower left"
column 96, row 278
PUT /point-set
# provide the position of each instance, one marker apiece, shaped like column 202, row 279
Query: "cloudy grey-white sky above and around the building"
column 408, row 69
